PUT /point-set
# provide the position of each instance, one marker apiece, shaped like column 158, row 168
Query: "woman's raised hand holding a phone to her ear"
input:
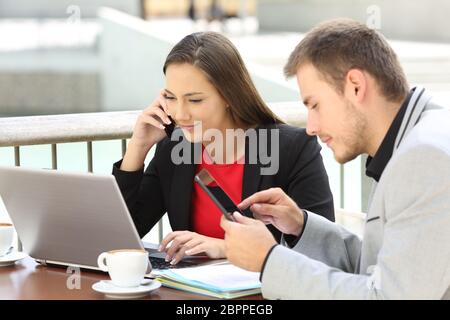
column 148, row 130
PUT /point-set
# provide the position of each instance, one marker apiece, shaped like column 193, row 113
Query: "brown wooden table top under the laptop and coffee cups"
column 28, row 280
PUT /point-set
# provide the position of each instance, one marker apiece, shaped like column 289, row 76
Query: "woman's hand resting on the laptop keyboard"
column 190, row 243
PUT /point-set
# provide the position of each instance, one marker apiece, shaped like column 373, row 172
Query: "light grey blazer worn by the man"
column 405, row 252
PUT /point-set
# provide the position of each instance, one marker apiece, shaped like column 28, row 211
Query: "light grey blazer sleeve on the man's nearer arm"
column 413, row 260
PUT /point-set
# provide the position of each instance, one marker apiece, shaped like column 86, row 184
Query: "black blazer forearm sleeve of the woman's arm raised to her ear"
column 142, row 193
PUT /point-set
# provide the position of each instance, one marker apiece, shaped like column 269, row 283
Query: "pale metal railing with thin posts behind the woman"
column 88, row 127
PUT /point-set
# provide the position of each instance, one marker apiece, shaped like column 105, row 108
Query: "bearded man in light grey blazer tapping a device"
column 358, row 102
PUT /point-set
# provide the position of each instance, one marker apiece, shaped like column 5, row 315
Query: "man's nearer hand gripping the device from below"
column 247, row 242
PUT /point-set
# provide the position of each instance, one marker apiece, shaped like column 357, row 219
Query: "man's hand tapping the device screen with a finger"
column 274, row 207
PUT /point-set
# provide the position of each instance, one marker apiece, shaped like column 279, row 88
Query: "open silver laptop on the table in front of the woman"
column 70, row 218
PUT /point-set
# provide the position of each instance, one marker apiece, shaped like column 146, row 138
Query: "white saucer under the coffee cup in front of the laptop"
column 112, row 291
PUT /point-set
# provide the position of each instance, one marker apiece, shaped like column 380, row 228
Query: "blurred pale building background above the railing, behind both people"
column 66, row 56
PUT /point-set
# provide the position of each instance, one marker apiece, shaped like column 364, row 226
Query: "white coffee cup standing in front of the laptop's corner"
column 126, row 267
